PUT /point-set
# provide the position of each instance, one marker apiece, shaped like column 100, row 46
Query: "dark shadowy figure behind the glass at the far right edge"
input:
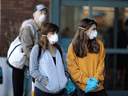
column 122, row 58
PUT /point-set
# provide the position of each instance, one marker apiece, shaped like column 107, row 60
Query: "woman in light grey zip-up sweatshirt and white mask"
column 48, row 67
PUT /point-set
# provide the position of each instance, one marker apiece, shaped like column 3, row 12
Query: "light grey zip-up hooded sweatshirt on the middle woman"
column 43, row 69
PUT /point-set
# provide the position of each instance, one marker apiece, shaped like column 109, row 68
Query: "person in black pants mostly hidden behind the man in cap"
column 18, row 74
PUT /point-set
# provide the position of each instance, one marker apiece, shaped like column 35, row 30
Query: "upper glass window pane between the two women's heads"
column 70, row 17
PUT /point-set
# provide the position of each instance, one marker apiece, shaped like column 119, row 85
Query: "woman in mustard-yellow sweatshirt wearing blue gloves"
column 86, row 56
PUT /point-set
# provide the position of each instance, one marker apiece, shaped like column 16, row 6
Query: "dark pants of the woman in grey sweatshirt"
column 38, row 92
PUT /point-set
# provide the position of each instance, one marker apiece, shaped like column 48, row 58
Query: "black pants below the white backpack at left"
column 17, row 79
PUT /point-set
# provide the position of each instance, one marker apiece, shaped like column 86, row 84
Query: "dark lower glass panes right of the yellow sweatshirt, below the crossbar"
column 121, row 72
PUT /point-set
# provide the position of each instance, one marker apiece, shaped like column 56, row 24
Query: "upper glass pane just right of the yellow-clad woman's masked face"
column 104, row 16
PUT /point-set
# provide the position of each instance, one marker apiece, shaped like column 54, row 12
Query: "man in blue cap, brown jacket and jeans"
column 28, row 40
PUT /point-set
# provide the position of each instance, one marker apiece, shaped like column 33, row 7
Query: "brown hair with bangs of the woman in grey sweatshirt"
column 43, row 42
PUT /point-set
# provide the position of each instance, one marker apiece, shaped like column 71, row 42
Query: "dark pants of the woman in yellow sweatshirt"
column 99, row 93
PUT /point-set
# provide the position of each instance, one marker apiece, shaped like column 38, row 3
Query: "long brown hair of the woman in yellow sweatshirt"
column 81, row 40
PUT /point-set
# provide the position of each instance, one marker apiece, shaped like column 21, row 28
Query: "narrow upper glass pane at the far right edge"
column 122, row 39
